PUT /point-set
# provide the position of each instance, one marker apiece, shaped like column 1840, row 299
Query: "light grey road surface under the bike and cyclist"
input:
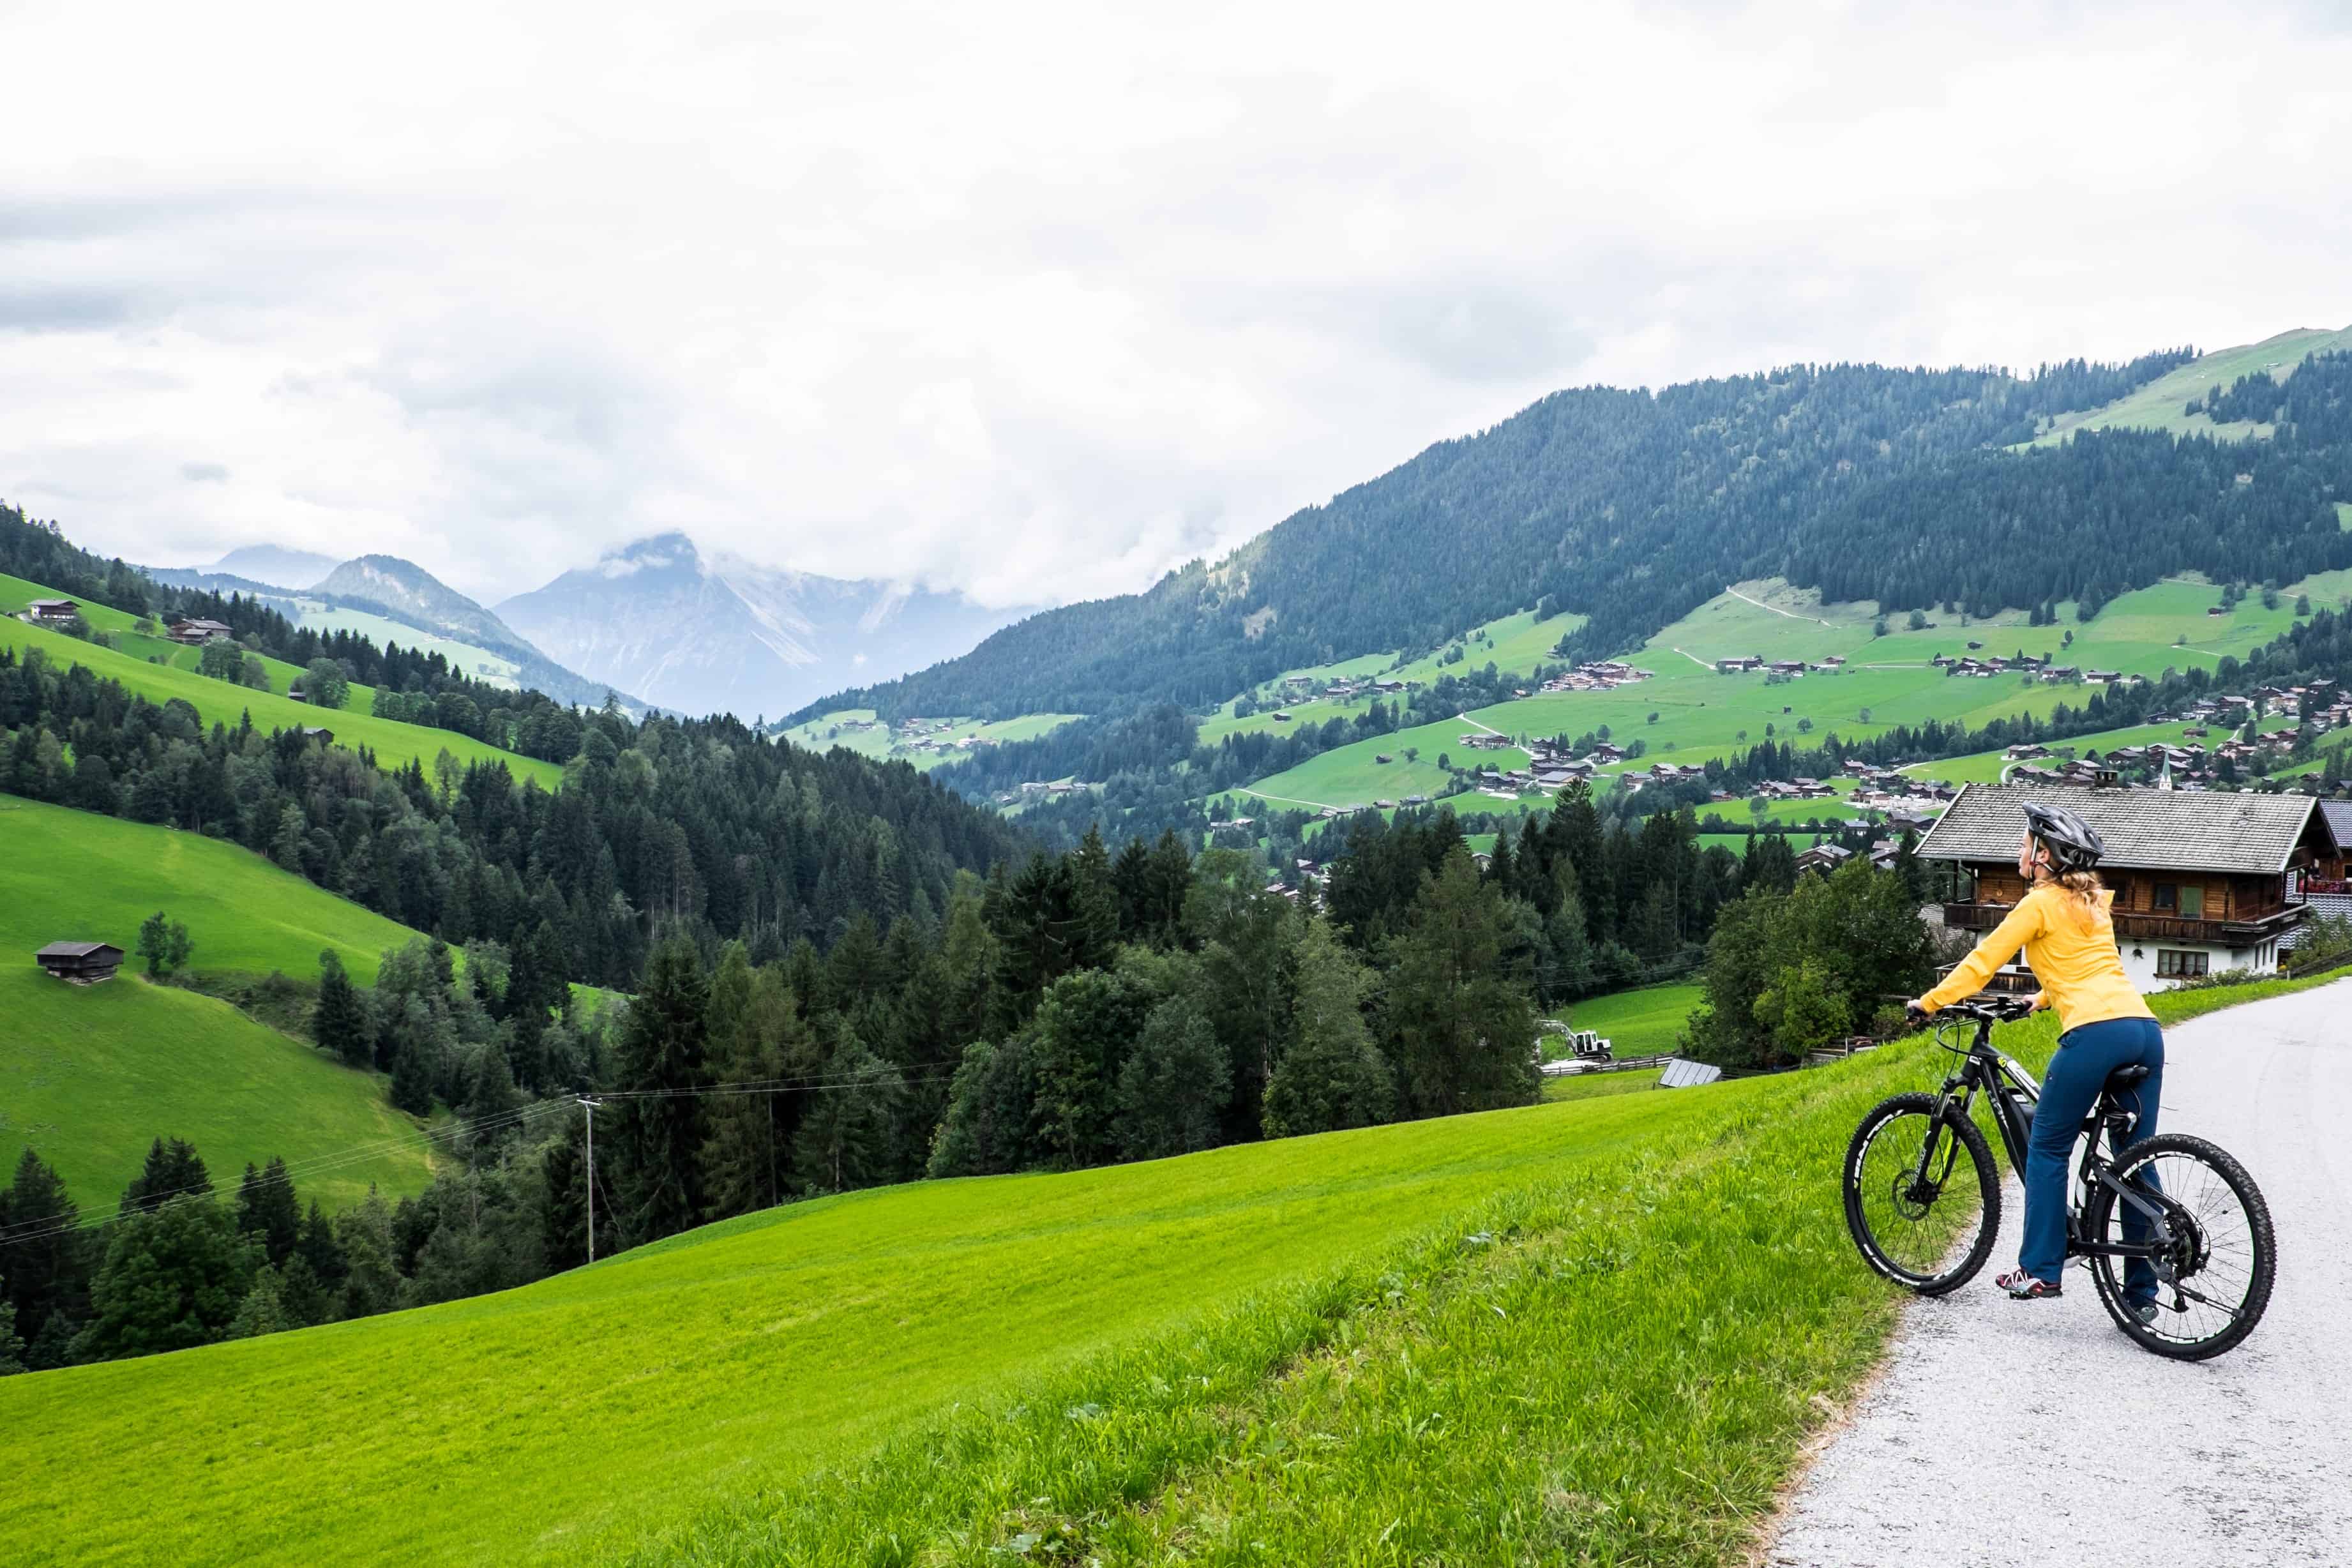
column 2033, row 1433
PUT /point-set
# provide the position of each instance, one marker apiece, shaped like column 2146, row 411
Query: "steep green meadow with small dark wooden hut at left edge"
column 91, row 1076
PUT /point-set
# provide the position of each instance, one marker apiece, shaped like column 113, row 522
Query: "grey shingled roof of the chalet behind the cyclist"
column 2144, row 829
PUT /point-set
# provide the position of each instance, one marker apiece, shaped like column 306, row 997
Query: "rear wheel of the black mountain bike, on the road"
column 2224, row 1254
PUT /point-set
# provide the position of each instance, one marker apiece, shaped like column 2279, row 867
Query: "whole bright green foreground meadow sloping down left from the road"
column 1591, row 1332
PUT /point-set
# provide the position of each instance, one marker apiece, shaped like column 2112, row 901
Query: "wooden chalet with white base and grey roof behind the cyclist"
column 2203, row 880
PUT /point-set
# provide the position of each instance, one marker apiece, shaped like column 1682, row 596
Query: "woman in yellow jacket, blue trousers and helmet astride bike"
column 2104, row 1024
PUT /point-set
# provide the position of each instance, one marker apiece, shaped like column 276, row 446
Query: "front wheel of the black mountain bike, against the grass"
column 1923, row 1195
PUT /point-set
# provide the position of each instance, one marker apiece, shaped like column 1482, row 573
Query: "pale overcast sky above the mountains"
column 1038, row 302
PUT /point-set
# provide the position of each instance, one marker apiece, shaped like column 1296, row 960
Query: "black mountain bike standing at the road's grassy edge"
column 1925, row 1198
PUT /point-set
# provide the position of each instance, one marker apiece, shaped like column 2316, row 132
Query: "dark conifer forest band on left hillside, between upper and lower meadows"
column 704, row 826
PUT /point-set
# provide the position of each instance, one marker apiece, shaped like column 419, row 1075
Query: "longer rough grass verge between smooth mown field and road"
column 1617, row 1365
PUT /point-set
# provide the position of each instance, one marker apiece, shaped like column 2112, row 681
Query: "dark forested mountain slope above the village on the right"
column 1636, row 507
